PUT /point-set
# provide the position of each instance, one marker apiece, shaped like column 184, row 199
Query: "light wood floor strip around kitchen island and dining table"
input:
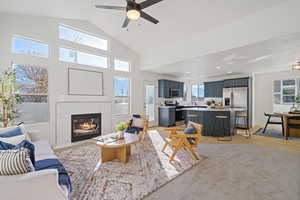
column 277, row 143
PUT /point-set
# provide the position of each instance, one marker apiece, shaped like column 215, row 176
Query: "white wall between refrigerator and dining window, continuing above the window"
column 263, row 87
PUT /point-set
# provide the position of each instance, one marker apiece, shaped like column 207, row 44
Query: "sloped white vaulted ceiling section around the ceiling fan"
column 179, row 19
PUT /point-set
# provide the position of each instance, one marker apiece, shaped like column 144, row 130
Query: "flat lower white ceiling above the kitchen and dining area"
column 271, row 55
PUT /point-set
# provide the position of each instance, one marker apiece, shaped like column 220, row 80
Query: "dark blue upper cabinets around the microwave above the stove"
column 170, row 89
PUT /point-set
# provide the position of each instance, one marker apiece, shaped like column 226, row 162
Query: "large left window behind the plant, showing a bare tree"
column 32, row 86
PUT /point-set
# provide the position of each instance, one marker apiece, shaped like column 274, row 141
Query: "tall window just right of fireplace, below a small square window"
column 121, row 96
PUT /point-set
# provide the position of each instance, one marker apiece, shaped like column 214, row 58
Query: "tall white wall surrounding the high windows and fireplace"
column 45, row 29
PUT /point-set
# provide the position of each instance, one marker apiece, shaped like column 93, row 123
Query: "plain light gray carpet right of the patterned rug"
column 235, row 172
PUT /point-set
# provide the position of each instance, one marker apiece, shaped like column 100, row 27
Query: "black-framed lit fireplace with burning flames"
column 85, row 126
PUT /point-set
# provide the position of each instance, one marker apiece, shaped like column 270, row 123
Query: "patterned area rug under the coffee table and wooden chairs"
column 147, row 170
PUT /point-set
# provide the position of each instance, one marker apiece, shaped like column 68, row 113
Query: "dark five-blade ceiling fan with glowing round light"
column 134, row 10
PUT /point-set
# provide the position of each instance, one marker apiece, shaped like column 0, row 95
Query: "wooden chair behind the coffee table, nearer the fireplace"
column 139, row 130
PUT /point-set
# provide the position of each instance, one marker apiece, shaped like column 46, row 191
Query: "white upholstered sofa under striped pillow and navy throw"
column 37, row 185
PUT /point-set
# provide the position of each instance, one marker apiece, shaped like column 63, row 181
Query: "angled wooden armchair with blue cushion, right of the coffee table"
column 182, row 141
